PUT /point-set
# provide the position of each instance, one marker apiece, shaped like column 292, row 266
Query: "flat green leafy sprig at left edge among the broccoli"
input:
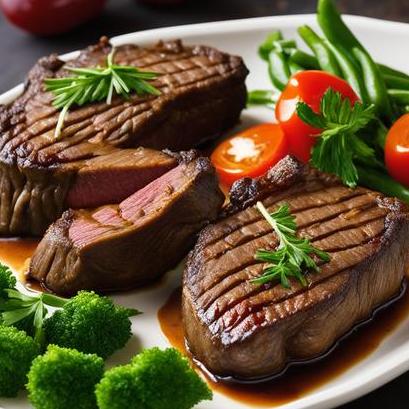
column 27, row 312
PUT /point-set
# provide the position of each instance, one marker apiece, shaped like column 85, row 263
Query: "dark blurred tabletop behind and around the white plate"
column 19, row 51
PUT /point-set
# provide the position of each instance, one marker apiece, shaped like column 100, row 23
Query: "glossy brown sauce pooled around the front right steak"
column 297, row 381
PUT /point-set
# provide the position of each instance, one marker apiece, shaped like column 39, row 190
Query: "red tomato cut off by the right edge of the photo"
column 397, row 150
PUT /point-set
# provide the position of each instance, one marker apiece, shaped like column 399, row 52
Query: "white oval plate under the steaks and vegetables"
column 387, row 42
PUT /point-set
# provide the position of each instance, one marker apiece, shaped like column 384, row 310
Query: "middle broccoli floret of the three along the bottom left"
column 64, row 379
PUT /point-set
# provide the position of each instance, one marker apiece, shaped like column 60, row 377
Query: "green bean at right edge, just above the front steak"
column 380, row 181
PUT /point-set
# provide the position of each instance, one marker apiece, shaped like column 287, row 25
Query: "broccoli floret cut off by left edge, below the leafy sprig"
column 17, row 351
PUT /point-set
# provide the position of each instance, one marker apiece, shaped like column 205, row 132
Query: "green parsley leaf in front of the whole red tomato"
column 338, row 144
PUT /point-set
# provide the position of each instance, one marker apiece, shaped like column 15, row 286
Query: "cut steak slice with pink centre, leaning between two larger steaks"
column 126, row 245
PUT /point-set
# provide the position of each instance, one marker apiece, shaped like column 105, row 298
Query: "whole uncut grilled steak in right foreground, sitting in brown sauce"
column 240, row 329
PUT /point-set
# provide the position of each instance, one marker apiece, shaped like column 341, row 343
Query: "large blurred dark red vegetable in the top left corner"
column 45, row 17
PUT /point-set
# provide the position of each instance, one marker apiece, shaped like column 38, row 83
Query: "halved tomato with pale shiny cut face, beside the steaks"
column 250, row 153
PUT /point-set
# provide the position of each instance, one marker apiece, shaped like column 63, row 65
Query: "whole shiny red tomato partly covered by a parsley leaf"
column 309, row 87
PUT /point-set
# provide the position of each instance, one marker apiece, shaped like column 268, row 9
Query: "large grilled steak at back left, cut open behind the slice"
column 202, row 94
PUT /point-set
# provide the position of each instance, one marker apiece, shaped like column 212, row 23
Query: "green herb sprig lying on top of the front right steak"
column 292, row 258
